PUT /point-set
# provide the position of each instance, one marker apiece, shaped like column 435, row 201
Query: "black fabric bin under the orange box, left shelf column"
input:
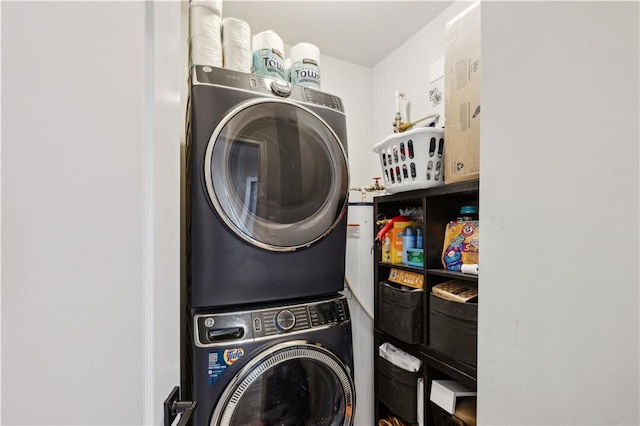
column 401, row 312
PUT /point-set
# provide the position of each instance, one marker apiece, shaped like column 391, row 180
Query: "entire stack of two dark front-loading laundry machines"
column 268, row 336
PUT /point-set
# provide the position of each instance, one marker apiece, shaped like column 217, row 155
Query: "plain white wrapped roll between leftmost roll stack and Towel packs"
column 236, row 45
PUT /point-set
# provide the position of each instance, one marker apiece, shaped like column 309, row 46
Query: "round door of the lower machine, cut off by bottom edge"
column 293, row 383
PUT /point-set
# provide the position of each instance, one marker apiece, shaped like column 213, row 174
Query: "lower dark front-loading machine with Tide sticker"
column 288, row 365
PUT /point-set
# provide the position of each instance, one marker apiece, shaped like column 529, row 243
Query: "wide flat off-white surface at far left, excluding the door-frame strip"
column 72, row 217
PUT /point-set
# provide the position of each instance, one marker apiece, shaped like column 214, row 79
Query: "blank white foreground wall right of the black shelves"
column 558, row 318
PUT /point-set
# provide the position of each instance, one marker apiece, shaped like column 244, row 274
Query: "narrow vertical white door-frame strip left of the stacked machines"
column 165, row 106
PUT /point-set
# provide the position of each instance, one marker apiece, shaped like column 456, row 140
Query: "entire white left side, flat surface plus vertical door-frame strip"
column 90, row 224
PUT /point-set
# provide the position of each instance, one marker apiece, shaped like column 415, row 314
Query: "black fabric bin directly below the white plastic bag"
column 398, row 389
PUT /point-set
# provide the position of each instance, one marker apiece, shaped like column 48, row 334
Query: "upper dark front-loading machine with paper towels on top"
column 267, row 190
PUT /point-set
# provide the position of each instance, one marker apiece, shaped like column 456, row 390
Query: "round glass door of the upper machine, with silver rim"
column 277, row 174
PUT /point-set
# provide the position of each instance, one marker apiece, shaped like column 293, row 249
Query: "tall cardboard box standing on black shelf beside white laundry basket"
column 462, row 96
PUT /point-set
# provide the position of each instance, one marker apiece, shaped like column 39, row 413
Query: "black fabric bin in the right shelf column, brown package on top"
column 453, row 329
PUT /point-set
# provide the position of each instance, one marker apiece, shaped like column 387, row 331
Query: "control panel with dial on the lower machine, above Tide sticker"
column 231, row 327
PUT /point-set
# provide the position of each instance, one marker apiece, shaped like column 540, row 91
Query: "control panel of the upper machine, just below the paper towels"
column 268, row 85
